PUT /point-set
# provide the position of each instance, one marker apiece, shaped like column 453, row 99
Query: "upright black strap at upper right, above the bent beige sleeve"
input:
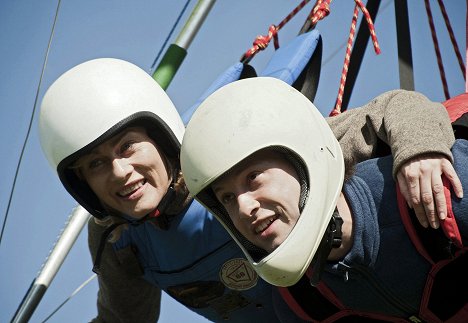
column 405, row 58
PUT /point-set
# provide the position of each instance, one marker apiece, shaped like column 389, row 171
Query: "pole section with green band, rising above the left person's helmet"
column 177, row 51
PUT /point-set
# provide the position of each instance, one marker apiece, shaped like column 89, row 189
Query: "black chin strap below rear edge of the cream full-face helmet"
column 331, row 239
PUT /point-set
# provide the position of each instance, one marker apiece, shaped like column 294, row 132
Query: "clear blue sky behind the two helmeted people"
column 135, row 31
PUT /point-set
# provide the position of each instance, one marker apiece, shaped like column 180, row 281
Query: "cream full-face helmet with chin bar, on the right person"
column 244, row 117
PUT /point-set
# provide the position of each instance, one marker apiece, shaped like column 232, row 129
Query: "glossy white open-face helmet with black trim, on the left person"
column 92, row 102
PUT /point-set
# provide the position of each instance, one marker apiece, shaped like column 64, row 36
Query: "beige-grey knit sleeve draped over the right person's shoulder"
column 407, row 121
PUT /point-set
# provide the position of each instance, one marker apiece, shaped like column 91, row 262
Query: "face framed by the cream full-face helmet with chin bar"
column 261, row 195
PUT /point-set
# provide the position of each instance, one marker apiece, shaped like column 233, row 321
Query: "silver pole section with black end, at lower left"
column 54, row 261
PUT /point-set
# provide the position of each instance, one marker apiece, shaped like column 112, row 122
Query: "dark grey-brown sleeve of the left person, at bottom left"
column 123, row 296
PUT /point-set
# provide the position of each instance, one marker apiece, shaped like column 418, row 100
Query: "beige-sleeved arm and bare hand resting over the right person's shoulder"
column 415, row 129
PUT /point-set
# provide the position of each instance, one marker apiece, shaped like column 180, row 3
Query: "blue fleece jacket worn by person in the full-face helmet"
column 383, row 272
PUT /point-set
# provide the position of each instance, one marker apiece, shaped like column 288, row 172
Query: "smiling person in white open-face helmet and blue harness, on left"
column 113, row 137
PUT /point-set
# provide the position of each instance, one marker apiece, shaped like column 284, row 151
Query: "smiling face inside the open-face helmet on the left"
column 127, row 172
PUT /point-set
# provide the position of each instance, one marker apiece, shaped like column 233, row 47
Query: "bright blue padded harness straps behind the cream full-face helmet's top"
column 294, row 63
